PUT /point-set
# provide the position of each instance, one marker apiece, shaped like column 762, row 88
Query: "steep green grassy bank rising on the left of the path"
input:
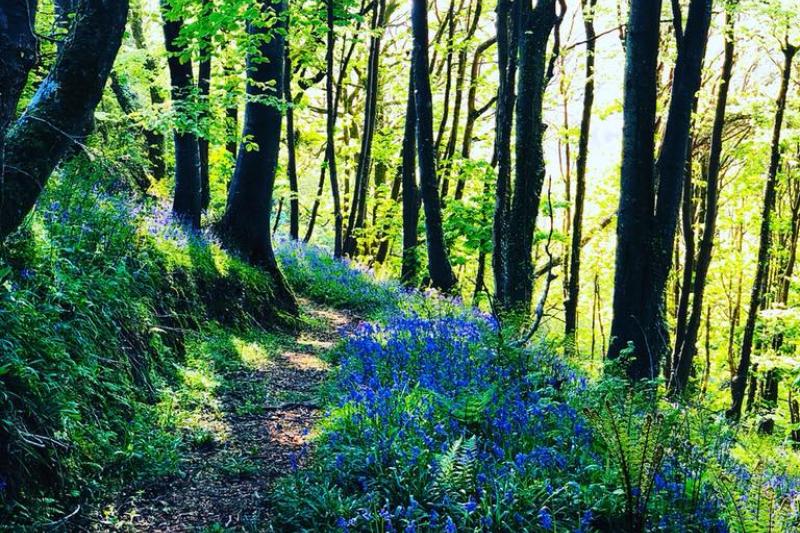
column 98, row 294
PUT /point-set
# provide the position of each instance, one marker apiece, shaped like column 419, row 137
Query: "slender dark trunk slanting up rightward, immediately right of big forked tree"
column 686, row 350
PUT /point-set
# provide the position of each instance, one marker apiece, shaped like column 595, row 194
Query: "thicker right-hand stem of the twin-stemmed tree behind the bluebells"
column 535, row 25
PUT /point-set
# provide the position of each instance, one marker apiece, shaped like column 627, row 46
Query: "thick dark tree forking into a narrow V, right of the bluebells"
column 650, row 193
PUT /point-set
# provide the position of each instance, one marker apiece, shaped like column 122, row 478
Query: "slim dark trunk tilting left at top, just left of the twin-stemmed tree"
column 439, row 268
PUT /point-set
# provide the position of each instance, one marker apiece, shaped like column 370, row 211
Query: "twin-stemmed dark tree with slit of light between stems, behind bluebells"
column 522, row 46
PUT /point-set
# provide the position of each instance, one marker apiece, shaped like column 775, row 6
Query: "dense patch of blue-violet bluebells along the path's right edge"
column 402, row 388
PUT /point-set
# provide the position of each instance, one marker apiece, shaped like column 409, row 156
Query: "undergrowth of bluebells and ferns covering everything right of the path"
column 436, row 423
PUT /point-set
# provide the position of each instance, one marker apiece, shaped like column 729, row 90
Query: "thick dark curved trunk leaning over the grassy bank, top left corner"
column 60, row 113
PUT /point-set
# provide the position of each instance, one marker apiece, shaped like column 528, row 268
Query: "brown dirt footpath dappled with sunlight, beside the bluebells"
column 266, row 412
